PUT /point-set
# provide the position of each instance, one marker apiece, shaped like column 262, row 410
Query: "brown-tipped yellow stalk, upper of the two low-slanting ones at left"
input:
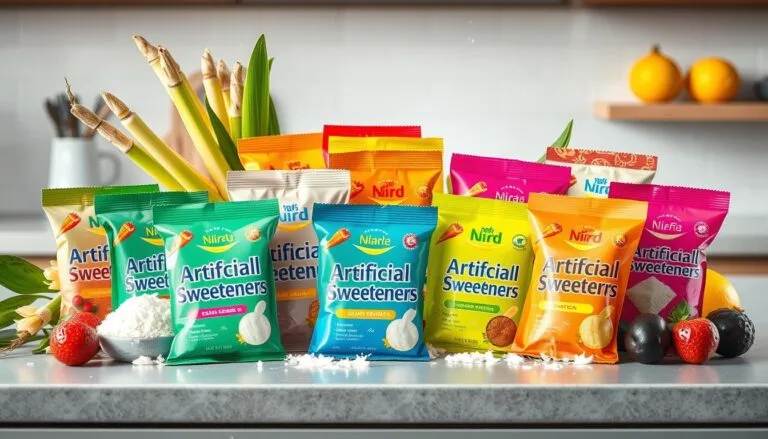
column 189, row 177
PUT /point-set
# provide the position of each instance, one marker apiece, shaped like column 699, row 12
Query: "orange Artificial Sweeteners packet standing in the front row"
column 583, row 250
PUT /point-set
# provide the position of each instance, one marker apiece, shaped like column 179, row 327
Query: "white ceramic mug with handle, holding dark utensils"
column 75, row 163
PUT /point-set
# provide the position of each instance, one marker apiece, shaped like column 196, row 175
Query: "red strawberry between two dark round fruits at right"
column 695, row 340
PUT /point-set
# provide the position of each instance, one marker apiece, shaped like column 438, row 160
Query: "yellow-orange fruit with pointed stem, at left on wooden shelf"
column 655, row 77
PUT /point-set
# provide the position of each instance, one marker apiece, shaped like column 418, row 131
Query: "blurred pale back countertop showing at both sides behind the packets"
column 31, row 236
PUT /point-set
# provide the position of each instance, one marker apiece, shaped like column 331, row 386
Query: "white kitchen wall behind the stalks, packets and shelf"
column 491, row 81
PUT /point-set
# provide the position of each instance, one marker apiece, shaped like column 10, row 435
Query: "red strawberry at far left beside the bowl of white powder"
column 74, row 343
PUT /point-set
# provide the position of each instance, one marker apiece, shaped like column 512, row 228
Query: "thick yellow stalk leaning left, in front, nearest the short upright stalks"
column 204, row 142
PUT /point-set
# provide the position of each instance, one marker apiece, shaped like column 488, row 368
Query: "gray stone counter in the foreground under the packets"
column 36, row 390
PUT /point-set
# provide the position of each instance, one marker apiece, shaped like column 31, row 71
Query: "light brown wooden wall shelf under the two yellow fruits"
column 683, row 112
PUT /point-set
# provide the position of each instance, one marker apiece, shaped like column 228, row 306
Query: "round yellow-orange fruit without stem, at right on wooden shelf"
column 713, row 80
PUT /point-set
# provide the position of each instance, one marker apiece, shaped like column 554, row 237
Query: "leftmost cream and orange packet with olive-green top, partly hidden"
column 82, row 253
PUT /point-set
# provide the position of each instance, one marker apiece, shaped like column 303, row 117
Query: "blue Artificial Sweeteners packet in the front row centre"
column 371, row 268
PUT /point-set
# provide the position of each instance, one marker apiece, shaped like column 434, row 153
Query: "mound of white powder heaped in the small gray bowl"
column 144, row 316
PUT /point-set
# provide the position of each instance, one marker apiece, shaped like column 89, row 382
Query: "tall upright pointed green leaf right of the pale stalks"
column 256, row 92
